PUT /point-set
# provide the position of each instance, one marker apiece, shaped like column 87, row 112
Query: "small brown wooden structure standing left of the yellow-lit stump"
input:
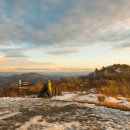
column 23, row 87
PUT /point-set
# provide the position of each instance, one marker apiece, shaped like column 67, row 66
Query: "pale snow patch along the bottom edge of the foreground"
column 38, row 123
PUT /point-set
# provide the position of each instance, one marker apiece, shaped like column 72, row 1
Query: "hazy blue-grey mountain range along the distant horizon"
column 7, row 78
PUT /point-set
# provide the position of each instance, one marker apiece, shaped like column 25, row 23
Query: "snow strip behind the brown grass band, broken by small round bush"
column 79, row 97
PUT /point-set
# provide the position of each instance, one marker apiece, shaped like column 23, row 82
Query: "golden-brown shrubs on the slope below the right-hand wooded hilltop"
column 111, row 83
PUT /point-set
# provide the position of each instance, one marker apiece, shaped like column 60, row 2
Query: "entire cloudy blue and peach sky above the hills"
column 63, row 35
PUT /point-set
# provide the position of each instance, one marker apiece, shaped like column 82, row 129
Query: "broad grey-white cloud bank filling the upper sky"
column 78, row 23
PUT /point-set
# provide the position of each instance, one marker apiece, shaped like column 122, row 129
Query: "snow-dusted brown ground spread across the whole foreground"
column 61, row 113
